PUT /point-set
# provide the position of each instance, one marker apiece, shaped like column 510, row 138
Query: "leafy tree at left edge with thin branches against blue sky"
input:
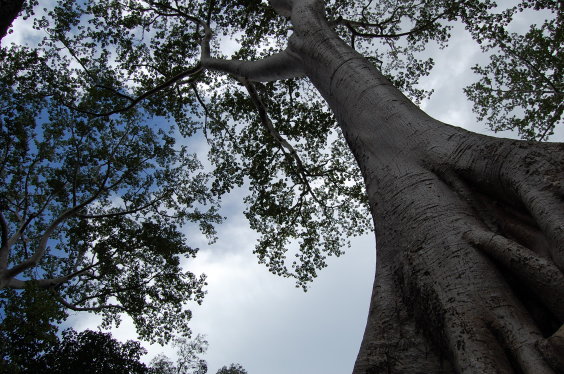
column 91, row 210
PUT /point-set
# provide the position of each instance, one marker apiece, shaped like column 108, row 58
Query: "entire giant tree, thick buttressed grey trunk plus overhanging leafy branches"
column 470, row 235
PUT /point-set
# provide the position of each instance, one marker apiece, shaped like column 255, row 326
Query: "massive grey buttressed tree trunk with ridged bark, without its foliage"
column 470, row 228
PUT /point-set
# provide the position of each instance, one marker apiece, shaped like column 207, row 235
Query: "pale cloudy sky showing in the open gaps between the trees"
column 262, row 321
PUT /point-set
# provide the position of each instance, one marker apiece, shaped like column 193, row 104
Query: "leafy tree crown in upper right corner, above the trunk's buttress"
column 521, row 87
